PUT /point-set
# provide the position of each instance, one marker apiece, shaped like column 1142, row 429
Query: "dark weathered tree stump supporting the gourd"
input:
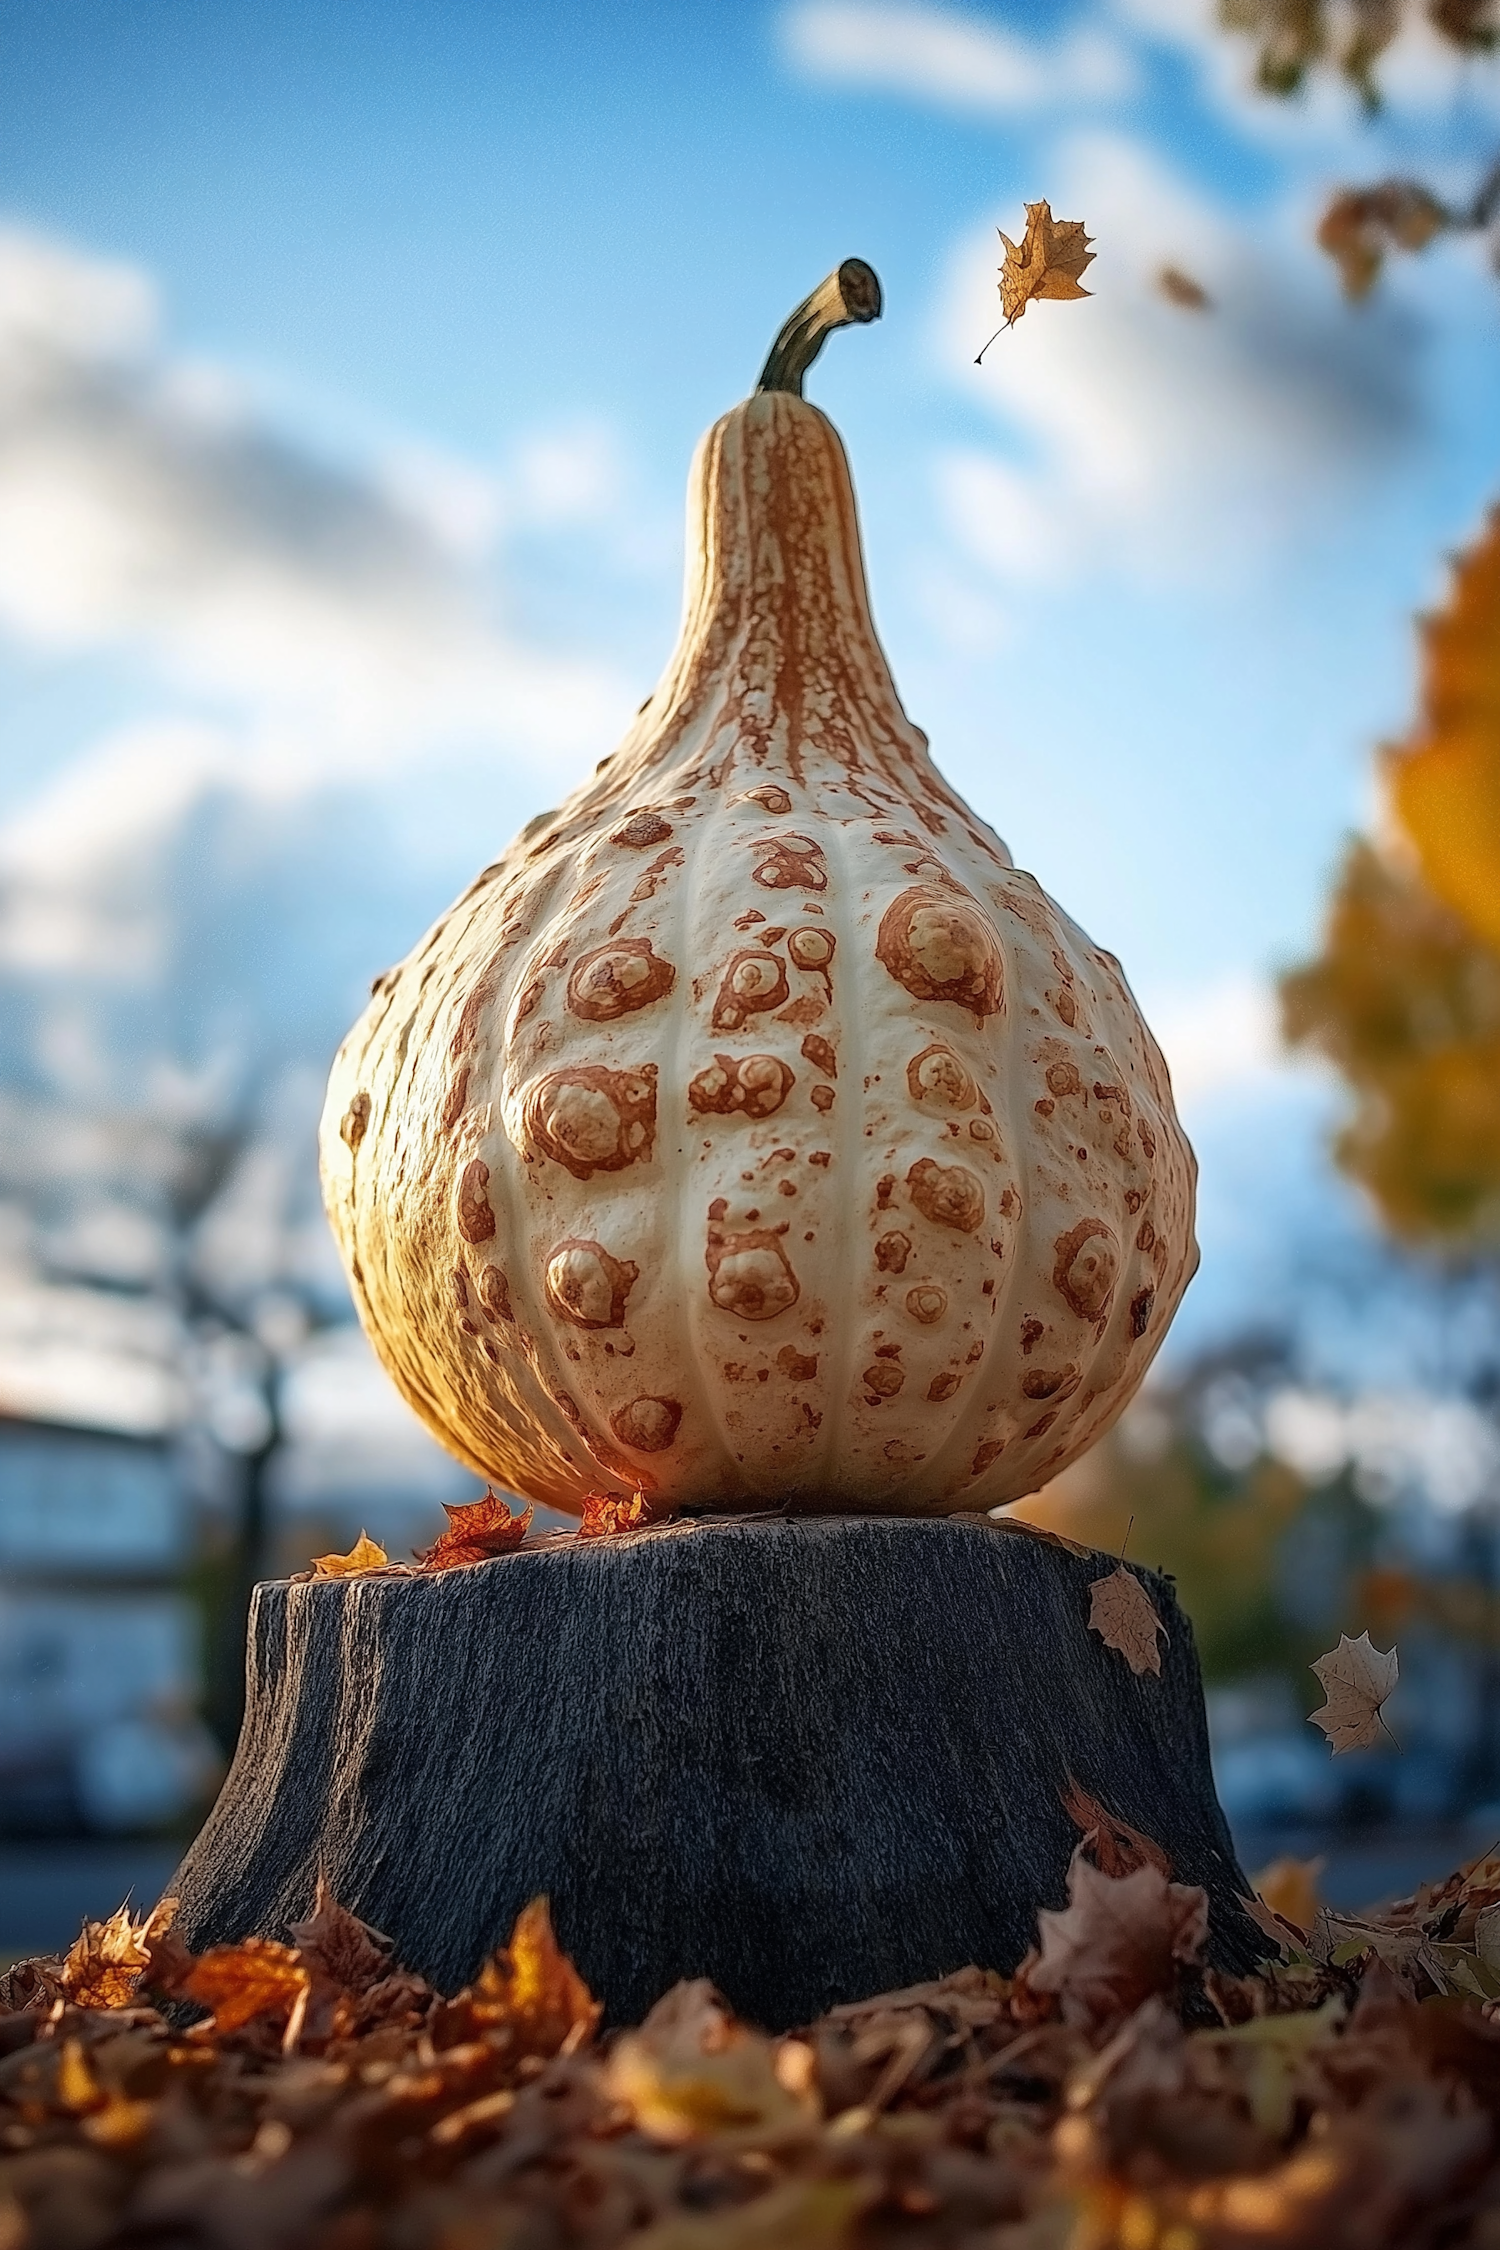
column 806, row 1758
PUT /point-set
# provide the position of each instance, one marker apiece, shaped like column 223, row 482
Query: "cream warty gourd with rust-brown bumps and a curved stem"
column 754, row 1131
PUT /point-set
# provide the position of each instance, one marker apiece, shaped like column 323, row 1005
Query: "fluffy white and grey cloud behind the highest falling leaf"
column 1153, row 438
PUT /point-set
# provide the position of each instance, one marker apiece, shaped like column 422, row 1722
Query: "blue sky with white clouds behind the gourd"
column 350, row 370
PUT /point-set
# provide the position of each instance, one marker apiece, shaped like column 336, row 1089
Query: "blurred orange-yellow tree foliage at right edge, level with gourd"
column 1404, row 996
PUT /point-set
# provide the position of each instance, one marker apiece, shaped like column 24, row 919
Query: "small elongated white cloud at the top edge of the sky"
column 950, row 57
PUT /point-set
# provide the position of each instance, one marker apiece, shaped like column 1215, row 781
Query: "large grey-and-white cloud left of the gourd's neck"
column 143, row 507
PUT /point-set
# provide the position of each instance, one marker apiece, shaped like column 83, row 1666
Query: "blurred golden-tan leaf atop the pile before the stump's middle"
column 694, row 2073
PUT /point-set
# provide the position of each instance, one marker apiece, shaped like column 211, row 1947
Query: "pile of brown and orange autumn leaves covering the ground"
column 1114, row 2094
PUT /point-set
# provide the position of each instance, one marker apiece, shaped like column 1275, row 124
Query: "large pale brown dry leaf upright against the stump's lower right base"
column 1117, row 1943
